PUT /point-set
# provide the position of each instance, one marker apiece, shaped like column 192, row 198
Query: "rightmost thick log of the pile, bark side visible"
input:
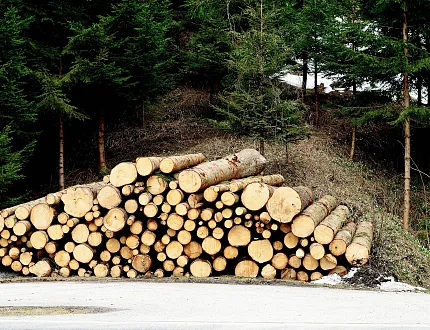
column 357, row 253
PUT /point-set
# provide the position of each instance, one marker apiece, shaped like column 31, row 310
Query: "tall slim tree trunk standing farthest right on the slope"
column 407, row 128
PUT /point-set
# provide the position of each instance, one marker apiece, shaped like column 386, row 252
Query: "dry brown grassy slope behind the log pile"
column 320, row 162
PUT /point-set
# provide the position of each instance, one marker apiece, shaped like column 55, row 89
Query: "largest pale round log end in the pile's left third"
column 78, row 201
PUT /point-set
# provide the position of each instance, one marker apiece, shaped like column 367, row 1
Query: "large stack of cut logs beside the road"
column 182, row 216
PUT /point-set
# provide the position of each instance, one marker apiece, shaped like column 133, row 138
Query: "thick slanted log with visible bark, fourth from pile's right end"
column 304, row 224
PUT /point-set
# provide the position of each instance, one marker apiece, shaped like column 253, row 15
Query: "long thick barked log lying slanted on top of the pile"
column 244, row 163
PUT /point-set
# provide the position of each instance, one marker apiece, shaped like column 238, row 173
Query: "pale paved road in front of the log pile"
column 143, row 305
